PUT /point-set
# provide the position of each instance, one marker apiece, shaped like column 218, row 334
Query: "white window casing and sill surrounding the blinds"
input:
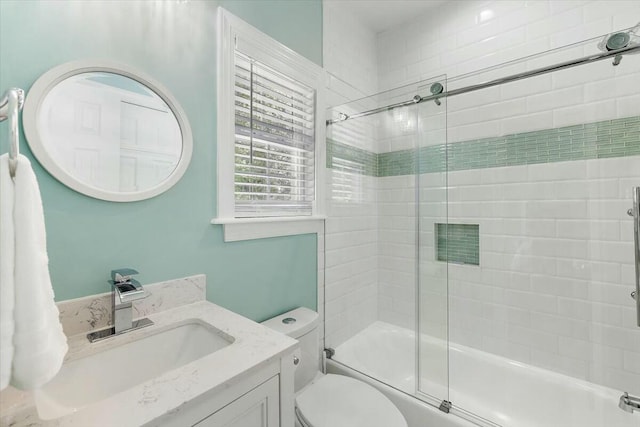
column 234, row 32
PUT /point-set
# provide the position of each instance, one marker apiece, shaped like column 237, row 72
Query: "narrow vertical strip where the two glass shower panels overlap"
column 432, row 251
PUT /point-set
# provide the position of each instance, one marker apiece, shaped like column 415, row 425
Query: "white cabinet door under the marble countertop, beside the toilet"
column 258, row 408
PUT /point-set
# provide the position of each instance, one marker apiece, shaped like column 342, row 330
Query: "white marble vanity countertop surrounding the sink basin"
column 254, row 346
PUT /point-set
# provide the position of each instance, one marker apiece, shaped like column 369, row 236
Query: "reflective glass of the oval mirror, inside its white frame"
column 110, row 132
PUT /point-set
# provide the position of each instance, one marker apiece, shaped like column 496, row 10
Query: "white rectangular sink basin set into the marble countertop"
column 101, row 375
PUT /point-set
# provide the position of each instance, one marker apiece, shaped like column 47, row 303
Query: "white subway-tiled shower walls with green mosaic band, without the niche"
column 544, row 167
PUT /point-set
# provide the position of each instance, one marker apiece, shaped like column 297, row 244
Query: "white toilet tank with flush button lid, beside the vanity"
column 301, row 324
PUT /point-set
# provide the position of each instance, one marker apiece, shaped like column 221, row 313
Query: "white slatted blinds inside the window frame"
column 274, row 142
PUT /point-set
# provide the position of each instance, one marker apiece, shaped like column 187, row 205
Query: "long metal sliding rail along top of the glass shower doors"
column 512, row 78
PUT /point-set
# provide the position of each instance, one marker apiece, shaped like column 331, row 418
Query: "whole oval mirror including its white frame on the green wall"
column 107, row 131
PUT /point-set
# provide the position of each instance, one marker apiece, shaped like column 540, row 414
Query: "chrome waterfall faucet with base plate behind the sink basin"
column 124, row 290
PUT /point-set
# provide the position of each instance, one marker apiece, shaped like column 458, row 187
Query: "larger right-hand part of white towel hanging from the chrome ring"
column 39, row 342
